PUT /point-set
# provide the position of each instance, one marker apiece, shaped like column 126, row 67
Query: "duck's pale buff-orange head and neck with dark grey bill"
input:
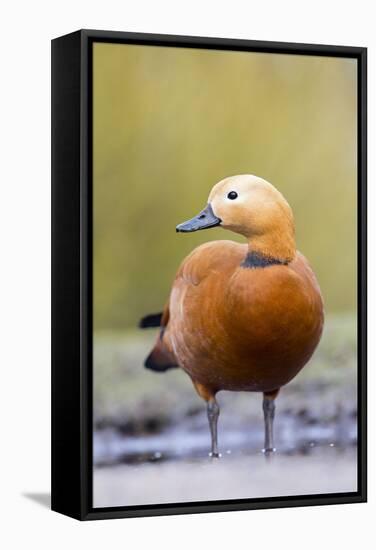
column 254, row 208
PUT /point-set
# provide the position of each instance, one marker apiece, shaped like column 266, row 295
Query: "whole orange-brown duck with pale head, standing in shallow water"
column 241, row 317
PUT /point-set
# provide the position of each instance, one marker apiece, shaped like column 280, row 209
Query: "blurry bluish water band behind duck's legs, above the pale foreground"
column 295, row 434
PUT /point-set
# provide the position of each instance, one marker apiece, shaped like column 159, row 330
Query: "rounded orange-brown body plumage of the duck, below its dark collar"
column 236, row 328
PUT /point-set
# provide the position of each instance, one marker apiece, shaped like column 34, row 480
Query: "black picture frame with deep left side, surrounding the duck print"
column 72, row 377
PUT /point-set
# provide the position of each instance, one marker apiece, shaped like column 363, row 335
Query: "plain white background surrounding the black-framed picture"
column 27, row 28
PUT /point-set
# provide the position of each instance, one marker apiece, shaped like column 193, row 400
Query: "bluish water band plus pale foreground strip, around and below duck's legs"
column 315, row 454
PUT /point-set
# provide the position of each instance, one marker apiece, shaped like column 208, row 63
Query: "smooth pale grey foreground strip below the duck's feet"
column 233, row 476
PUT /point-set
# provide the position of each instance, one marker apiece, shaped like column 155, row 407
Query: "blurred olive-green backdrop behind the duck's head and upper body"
column 171, row 122
